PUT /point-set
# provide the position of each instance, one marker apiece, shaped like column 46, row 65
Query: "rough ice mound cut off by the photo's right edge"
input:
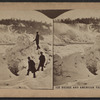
column 93, row 56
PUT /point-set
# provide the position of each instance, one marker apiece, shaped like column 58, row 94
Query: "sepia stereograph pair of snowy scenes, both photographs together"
column 48, row 49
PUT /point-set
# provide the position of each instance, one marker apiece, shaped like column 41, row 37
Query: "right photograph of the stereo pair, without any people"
column 77, row 48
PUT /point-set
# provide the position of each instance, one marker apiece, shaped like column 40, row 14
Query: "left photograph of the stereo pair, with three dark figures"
column 26, row 55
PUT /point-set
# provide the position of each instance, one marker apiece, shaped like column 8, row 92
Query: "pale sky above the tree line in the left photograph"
column 25, row 15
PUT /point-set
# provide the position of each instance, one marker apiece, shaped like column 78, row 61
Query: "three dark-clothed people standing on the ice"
column 31, row 63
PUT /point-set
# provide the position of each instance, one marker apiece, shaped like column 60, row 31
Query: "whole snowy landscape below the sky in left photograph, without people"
column 16, row 44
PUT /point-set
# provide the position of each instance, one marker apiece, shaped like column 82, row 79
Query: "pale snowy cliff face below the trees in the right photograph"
column 75, row 33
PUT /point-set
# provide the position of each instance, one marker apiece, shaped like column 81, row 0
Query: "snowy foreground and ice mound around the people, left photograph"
column 14, row 65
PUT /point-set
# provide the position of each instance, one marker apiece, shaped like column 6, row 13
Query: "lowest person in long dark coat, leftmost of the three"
column 31, row 67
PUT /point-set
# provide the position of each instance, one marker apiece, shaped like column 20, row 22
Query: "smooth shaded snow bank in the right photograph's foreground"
column 70, row 68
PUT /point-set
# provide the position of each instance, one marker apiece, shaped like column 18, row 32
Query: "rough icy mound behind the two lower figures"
column 17, row 56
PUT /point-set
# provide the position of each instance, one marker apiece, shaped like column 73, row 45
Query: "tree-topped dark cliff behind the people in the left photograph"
column 10, row 29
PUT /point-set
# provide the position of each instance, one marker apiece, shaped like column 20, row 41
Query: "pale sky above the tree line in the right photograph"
column 80, row 13
